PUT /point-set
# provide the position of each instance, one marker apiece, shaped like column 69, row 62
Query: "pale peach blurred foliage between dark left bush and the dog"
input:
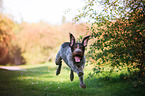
column 39, row 42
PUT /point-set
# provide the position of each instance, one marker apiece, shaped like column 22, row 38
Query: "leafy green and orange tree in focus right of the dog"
column 119, row 32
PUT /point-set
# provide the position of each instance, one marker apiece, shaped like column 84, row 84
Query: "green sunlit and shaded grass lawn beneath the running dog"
column 40, row 80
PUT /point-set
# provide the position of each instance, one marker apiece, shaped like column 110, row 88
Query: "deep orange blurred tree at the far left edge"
column 6, row 26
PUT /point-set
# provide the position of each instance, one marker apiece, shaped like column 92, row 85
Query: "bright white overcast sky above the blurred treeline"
column 50, row 11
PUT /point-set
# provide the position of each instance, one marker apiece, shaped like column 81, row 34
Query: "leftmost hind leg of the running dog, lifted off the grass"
column 58, row 62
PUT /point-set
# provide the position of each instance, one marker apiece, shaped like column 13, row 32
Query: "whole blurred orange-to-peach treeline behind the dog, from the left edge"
column 34, row 43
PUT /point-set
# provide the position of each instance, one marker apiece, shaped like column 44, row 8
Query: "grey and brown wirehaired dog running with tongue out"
column 73, row 55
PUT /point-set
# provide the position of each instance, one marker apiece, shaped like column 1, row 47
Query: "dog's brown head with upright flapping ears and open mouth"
column 78, row 48
